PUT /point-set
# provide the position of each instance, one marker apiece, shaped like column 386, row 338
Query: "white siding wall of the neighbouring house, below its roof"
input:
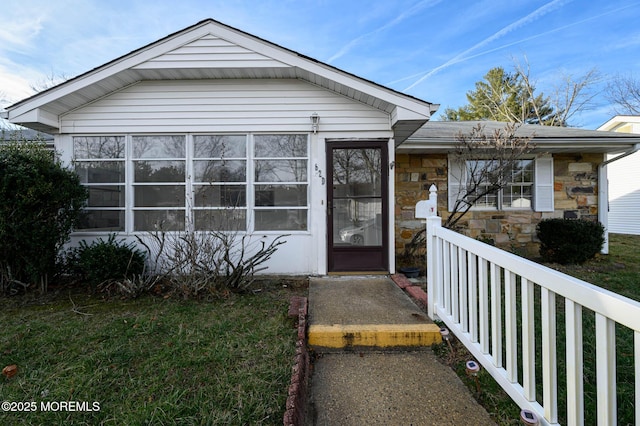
column 624, row 195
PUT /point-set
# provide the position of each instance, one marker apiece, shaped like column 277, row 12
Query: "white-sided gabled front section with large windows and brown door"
column 213, row 128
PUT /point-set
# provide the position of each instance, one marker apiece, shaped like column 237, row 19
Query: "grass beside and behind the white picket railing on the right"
column 619, row 272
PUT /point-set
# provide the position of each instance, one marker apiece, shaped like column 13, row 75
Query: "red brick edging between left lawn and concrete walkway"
column 296, row 406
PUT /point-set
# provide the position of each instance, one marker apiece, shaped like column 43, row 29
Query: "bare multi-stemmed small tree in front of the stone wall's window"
column 485, row 162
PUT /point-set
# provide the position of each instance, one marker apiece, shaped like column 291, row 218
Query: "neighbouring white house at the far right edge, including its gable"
column 624, row 180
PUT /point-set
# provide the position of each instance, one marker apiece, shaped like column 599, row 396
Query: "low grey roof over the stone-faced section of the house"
column 441, row 137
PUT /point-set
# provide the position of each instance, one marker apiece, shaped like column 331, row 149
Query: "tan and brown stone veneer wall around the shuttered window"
column 575, row 196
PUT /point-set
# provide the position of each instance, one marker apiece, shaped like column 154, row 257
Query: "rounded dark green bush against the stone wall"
column 568, row 241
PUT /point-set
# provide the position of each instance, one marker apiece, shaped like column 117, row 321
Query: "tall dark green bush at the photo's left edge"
column 40, row 203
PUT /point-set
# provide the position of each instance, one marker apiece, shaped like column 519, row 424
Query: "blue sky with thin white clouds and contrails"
column 432, row 49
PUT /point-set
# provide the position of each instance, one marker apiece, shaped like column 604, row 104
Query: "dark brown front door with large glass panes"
column 357, row 213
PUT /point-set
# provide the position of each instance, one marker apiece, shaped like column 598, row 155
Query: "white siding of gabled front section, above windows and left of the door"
column 242, row 106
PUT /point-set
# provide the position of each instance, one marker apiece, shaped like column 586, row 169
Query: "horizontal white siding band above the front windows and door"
column 224, row 106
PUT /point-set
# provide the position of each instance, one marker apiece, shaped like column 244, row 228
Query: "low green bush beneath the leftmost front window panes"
column 102, row 262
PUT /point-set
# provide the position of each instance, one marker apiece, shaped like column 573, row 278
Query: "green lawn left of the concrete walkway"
column 149, row 360
